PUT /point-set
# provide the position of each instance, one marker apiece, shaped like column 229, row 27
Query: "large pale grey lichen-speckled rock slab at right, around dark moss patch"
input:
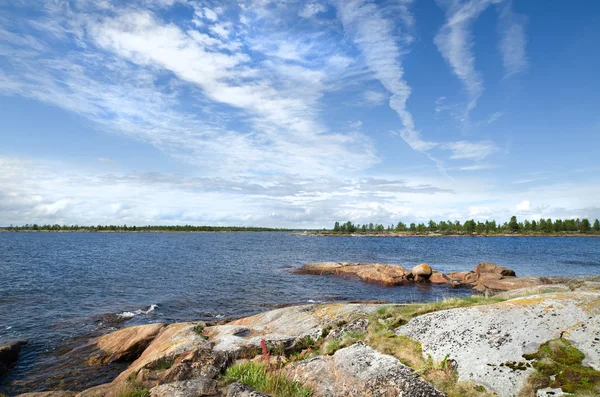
column 483, row 337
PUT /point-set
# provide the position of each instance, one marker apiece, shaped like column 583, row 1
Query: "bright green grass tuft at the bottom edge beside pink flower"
column 259, row 377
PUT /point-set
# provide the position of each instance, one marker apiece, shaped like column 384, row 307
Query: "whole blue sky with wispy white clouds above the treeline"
column 298, row 114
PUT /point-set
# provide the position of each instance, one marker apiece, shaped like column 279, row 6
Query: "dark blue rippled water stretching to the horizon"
column 56, row 286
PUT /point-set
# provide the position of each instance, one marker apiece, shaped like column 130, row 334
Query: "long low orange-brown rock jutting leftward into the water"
column 383, row 274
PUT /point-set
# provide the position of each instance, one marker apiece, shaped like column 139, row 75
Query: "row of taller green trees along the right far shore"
column 542, row 226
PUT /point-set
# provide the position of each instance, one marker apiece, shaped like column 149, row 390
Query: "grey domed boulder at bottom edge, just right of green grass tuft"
column 359, row 370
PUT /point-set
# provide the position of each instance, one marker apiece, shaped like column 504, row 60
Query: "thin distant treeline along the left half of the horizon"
column 125, row 228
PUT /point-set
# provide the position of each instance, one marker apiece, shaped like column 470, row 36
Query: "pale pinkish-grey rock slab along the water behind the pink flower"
column 287, row 328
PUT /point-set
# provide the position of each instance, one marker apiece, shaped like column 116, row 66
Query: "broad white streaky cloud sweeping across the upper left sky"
column 125, row 71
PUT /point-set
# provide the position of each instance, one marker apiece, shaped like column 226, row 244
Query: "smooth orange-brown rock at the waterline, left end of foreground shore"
column 126, row 344
